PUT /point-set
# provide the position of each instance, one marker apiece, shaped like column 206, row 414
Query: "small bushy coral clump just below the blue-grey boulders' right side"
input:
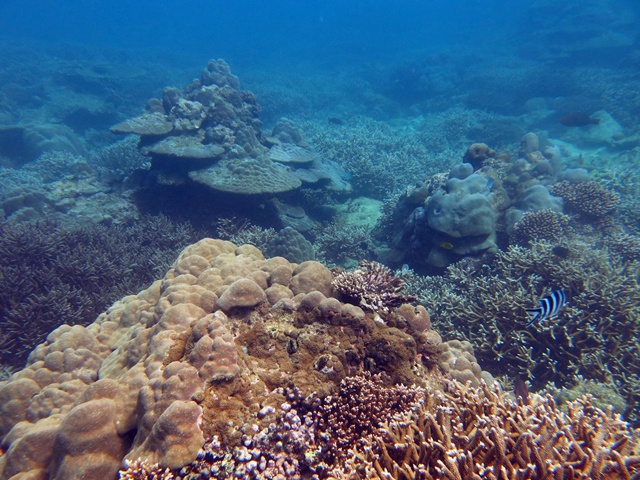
column 545, row 224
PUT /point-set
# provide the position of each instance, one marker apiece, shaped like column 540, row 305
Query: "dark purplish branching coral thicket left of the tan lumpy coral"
column 53, row 273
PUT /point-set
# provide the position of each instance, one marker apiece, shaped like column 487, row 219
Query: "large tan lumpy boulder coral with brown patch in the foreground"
column 198, row 354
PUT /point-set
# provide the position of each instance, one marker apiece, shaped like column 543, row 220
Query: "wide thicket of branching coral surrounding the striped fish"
column 593, row 336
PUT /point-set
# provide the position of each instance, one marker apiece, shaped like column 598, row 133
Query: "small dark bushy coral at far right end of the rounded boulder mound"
column 588, row 198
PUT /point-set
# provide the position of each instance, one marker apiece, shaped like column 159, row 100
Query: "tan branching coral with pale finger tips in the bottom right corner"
column 477, row 433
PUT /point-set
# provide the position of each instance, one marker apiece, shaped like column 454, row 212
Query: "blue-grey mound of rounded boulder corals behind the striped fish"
column 447, row 217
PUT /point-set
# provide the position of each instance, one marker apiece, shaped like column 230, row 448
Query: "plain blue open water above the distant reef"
column 281, row 32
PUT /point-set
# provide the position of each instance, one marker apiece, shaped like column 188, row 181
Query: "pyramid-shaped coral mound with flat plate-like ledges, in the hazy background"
column 210, row 134
